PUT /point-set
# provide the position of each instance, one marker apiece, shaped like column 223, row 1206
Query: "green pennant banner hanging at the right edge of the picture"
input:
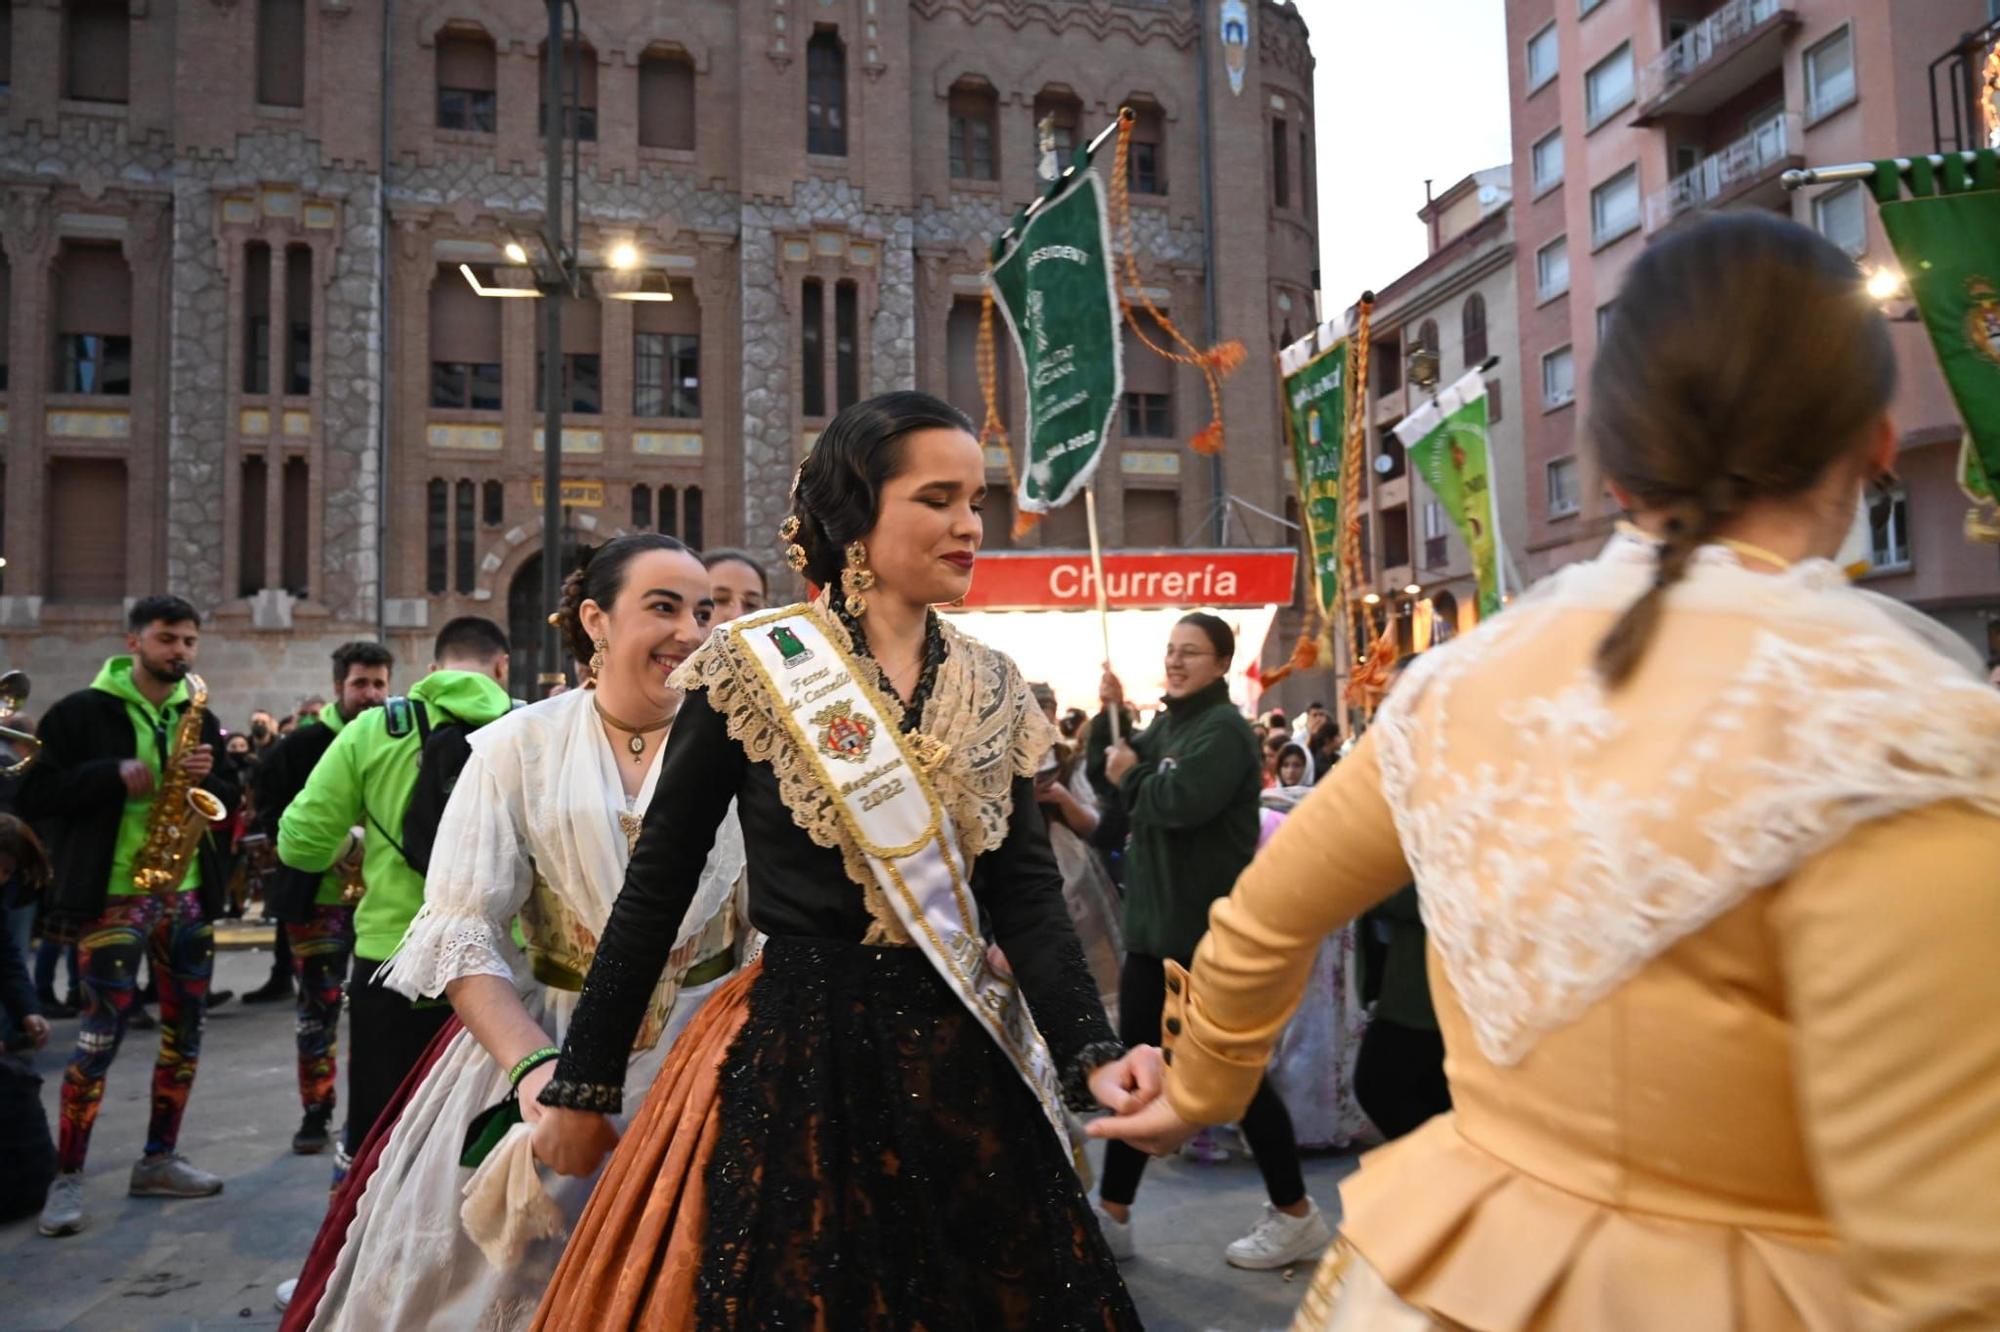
column 1945, row 225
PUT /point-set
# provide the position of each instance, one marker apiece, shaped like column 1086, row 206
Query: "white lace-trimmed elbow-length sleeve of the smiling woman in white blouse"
column 479, row 881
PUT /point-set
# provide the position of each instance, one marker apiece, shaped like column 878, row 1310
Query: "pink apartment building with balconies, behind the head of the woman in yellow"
column 1635, row 115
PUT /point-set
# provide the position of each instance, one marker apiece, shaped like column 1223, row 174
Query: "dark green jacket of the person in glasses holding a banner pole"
column 1193, row 805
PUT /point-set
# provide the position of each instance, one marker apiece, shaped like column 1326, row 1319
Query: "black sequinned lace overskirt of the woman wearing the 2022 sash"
column 881, row 1165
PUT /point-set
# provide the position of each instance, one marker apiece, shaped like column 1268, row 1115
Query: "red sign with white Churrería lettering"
column 1155, row 579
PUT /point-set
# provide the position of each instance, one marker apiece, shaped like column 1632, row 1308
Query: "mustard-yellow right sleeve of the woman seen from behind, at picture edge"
column 1889, row 949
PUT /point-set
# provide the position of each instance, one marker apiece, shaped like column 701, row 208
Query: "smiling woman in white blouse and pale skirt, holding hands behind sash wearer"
column 529, row 857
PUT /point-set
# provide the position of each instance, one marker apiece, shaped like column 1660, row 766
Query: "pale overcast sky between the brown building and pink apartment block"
column 1403, row 91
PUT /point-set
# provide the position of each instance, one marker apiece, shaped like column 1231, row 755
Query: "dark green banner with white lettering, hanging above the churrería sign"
column 1061, row 303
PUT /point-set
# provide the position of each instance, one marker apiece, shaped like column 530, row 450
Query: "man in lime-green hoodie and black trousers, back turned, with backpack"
column 361, row 789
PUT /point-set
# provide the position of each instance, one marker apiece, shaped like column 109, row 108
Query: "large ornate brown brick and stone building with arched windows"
column 253, row 349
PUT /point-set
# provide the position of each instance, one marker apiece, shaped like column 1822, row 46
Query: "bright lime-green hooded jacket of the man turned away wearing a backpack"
column 365, row 779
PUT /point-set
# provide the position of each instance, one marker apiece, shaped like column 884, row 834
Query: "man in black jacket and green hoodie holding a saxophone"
column 127, row 791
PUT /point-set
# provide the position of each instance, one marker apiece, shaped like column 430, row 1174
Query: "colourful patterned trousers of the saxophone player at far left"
column 183, row 957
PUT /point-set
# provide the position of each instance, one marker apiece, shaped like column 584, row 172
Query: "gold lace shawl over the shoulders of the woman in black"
column 981, row 709
